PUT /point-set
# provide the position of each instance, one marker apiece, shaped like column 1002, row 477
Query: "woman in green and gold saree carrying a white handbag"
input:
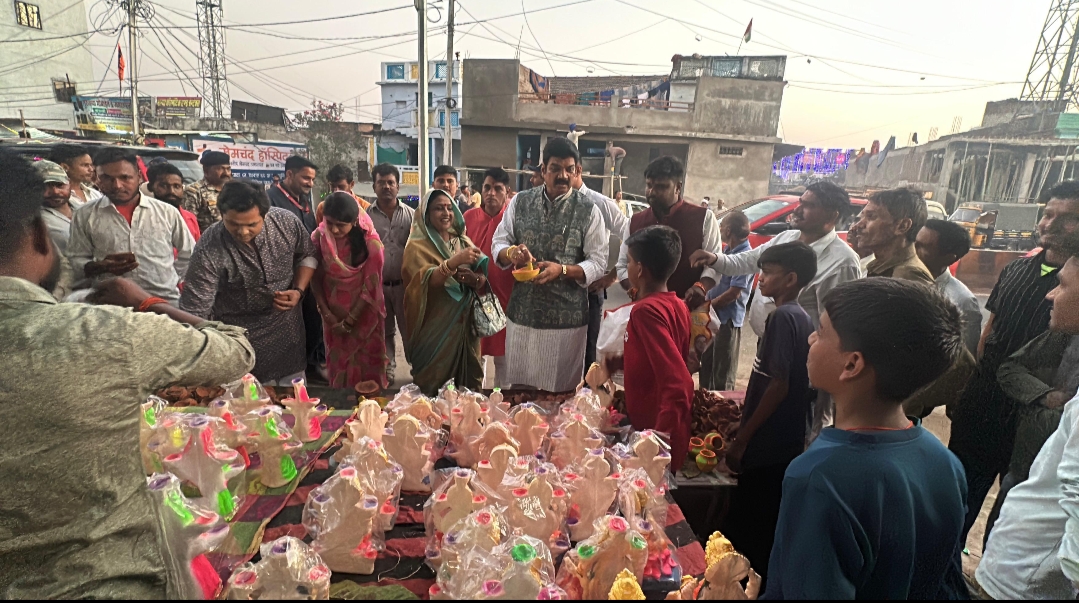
column 442, row 269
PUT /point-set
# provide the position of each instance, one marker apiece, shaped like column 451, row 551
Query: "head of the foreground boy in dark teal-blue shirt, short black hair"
column 883, row 338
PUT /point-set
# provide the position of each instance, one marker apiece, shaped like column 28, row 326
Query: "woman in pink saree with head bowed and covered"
column 348, row 287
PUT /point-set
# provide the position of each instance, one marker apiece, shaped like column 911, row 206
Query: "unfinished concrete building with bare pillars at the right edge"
column 1015, row 157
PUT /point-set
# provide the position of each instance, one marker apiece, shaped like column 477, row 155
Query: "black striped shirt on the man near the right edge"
column 1020, row 308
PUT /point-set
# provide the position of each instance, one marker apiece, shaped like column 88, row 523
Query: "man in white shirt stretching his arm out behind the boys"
column 821, row 208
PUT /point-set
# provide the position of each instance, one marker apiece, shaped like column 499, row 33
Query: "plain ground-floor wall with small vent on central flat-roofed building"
column 734, row 180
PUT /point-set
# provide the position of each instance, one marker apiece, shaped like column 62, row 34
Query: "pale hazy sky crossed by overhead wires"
column 857, row 72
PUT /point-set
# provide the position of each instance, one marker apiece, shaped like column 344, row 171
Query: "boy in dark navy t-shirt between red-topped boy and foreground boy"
column 773, row 429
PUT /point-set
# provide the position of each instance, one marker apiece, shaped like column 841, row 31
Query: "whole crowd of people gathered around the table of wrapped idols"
column 842, row 492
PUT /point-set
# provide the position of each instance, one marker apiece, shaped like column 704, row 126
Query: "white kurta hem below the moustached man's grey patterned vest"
column 549, row 360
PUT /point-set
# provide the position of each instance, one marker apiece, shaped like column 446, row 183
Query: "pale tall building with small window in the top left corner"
column 47, row 65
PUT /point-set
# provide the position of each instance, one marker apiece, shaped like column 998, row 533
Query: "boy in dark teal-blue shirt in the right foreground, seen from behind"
column 875, row 509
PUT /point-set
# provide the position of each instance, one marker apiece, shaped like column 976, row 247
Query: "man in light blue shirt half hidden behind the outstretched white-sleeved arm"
column 719, row 366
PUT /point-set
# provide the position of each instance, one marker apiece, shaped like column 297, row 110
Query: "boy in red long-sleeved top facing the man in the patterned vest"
column 659, row 385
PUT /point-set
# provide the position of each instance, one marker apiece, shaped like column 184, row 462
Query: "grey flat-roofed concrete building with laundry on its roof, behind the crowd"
column 718, row 115
